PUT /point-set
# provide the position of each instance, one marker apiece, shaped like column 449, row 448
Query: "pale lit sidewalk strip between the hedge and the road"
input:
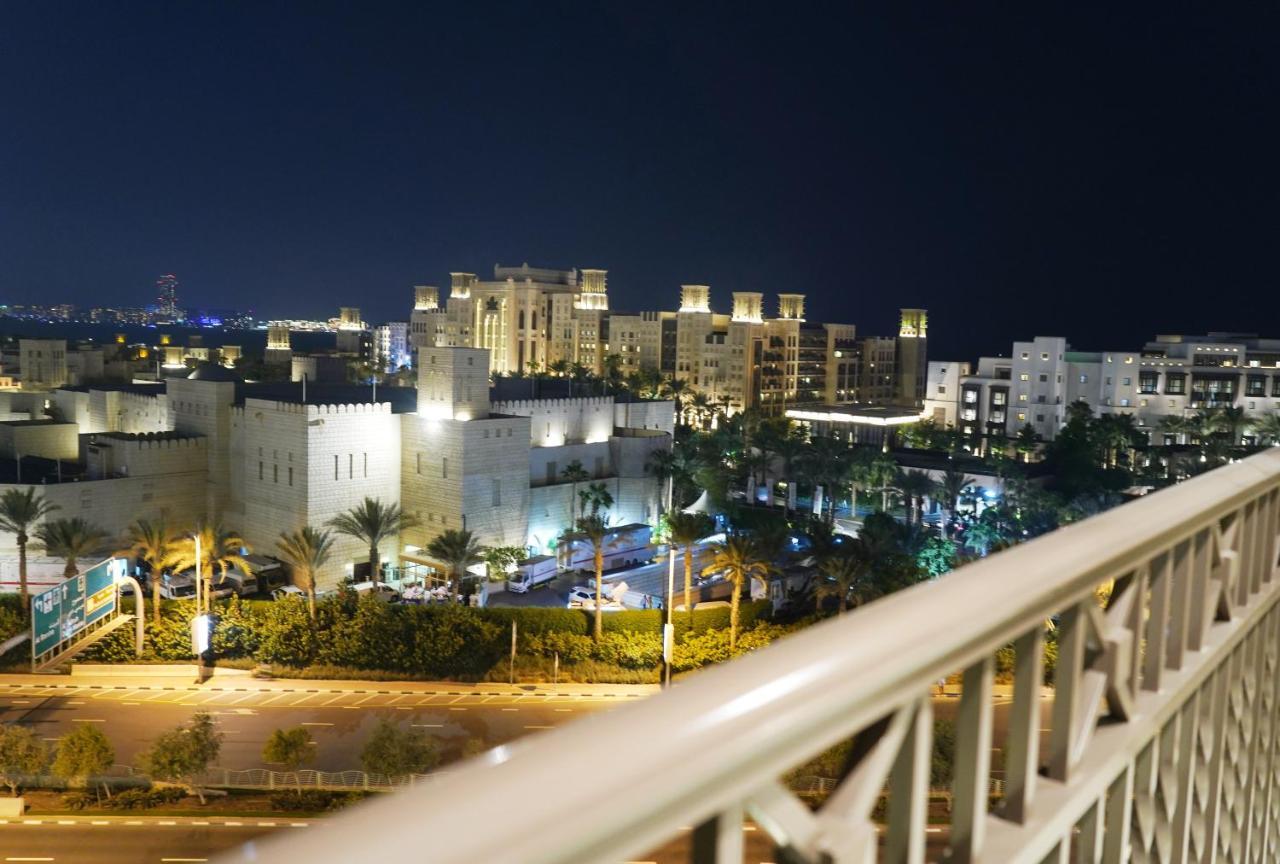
column 159, row 679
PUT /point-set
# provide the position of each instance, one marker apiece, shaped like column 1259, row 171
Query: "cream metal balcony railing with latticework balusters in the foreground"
column 1162, row 742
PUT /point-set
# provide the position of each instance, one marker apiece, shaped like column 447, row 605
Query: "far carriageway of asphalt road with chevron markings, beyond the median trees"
column 339, row 721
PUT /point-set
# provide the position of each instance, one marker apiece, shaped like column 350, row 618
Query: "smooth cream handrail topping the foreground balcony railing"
column 619, row 784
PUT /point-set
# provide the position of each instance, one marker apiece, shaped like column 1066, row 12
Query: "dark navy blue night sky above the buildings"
column 1101, row 175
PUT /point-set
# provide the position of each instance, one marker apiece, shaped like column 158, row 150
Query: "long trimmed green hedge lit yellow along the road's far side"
column 444, row 642
